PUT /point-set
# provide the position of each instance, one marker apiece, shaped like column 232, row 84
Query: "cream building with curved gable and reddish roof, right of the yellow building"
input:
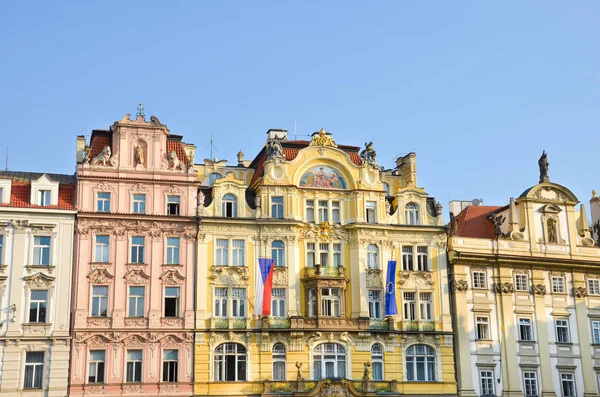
column 526, row 291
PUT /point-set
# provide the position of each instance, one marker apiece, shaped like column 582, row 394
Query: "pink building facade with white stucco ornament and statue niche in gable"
column 133, row 299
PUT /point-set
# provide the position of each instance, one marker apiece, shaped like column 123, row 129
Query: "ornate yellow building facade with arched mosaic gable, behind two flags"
column 331, row 219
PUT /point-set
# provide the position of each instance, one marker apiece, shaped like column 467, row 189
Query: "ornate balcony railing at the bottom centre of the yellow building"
column 331, row 387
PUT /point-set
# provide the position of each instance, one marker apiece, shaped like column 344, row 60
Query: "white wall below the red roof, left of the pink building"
column 18, row 277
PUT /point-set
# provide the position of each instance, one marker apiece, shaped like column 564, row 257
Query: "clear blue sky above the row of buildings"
column 476, row 88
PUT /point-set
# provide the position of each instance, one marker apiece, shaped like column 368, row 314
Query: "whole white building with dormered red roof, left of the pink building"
column 36, row 260
